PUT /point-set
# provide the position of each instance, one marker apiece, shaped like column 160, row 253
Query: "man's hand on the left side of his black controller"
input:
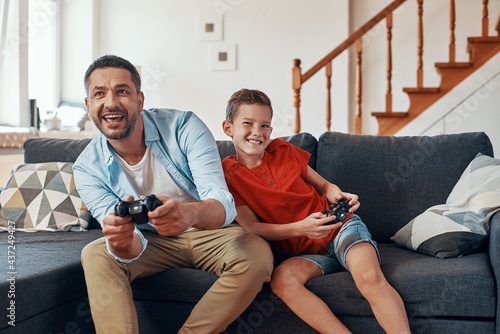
column 119, row 231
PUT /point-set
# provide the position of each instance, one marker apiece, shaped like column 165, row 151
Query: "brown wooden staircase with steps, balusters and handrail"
column 480, row 50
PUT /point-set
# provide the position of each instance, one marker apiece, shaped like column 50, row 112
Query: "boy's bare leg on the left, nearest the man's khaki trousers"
column 288, row 283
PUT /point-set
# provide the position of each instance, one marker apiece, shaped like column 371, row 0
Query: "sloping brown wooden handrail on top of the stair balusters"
column 352, row 39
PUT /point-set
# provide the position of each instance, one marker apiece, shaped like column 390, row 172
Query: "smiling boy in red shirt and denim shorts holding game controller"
column 279, row 197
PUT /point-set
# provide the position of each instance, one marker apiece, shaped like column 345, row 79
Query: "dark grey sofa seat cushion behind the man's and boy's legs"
column 429, row 286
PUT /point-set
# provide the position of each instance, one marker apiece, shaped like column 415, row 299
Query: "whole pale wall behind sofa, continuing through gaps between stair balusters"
column 161, row 37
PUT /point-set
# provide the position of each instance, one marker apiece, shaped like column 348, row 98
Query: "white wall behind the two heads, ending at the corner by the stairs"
column 160, row 36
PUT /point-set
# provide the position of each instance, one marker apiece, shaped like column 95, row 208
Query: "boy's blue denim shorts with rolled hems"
column 351, row 233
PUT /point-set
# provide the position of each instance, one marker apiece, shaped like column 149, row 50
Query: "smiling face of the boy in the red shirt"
column 250, row 130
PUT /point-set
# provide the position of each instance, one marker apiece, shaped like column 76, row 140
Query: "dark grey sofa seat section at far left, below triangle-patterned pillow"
column 48, row 272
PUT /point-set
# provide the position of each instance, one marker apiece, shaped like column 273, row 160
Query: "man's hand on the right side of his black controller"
column 172, row 217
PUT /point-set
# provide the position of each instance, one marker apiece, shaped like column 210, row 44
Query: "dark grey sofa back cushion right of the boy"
column 396, row 178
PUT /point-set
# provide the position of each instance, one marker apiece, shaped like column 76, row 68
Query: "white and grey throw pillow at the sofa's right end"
column 461, row 226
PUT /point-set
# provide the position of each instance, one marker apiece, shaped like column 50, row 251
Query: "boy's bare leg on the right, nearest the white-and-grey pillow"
column 386, row 304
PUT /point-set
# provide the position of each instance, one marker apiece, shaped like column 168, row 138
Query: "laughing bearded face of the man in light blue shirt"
column 113, row 102
